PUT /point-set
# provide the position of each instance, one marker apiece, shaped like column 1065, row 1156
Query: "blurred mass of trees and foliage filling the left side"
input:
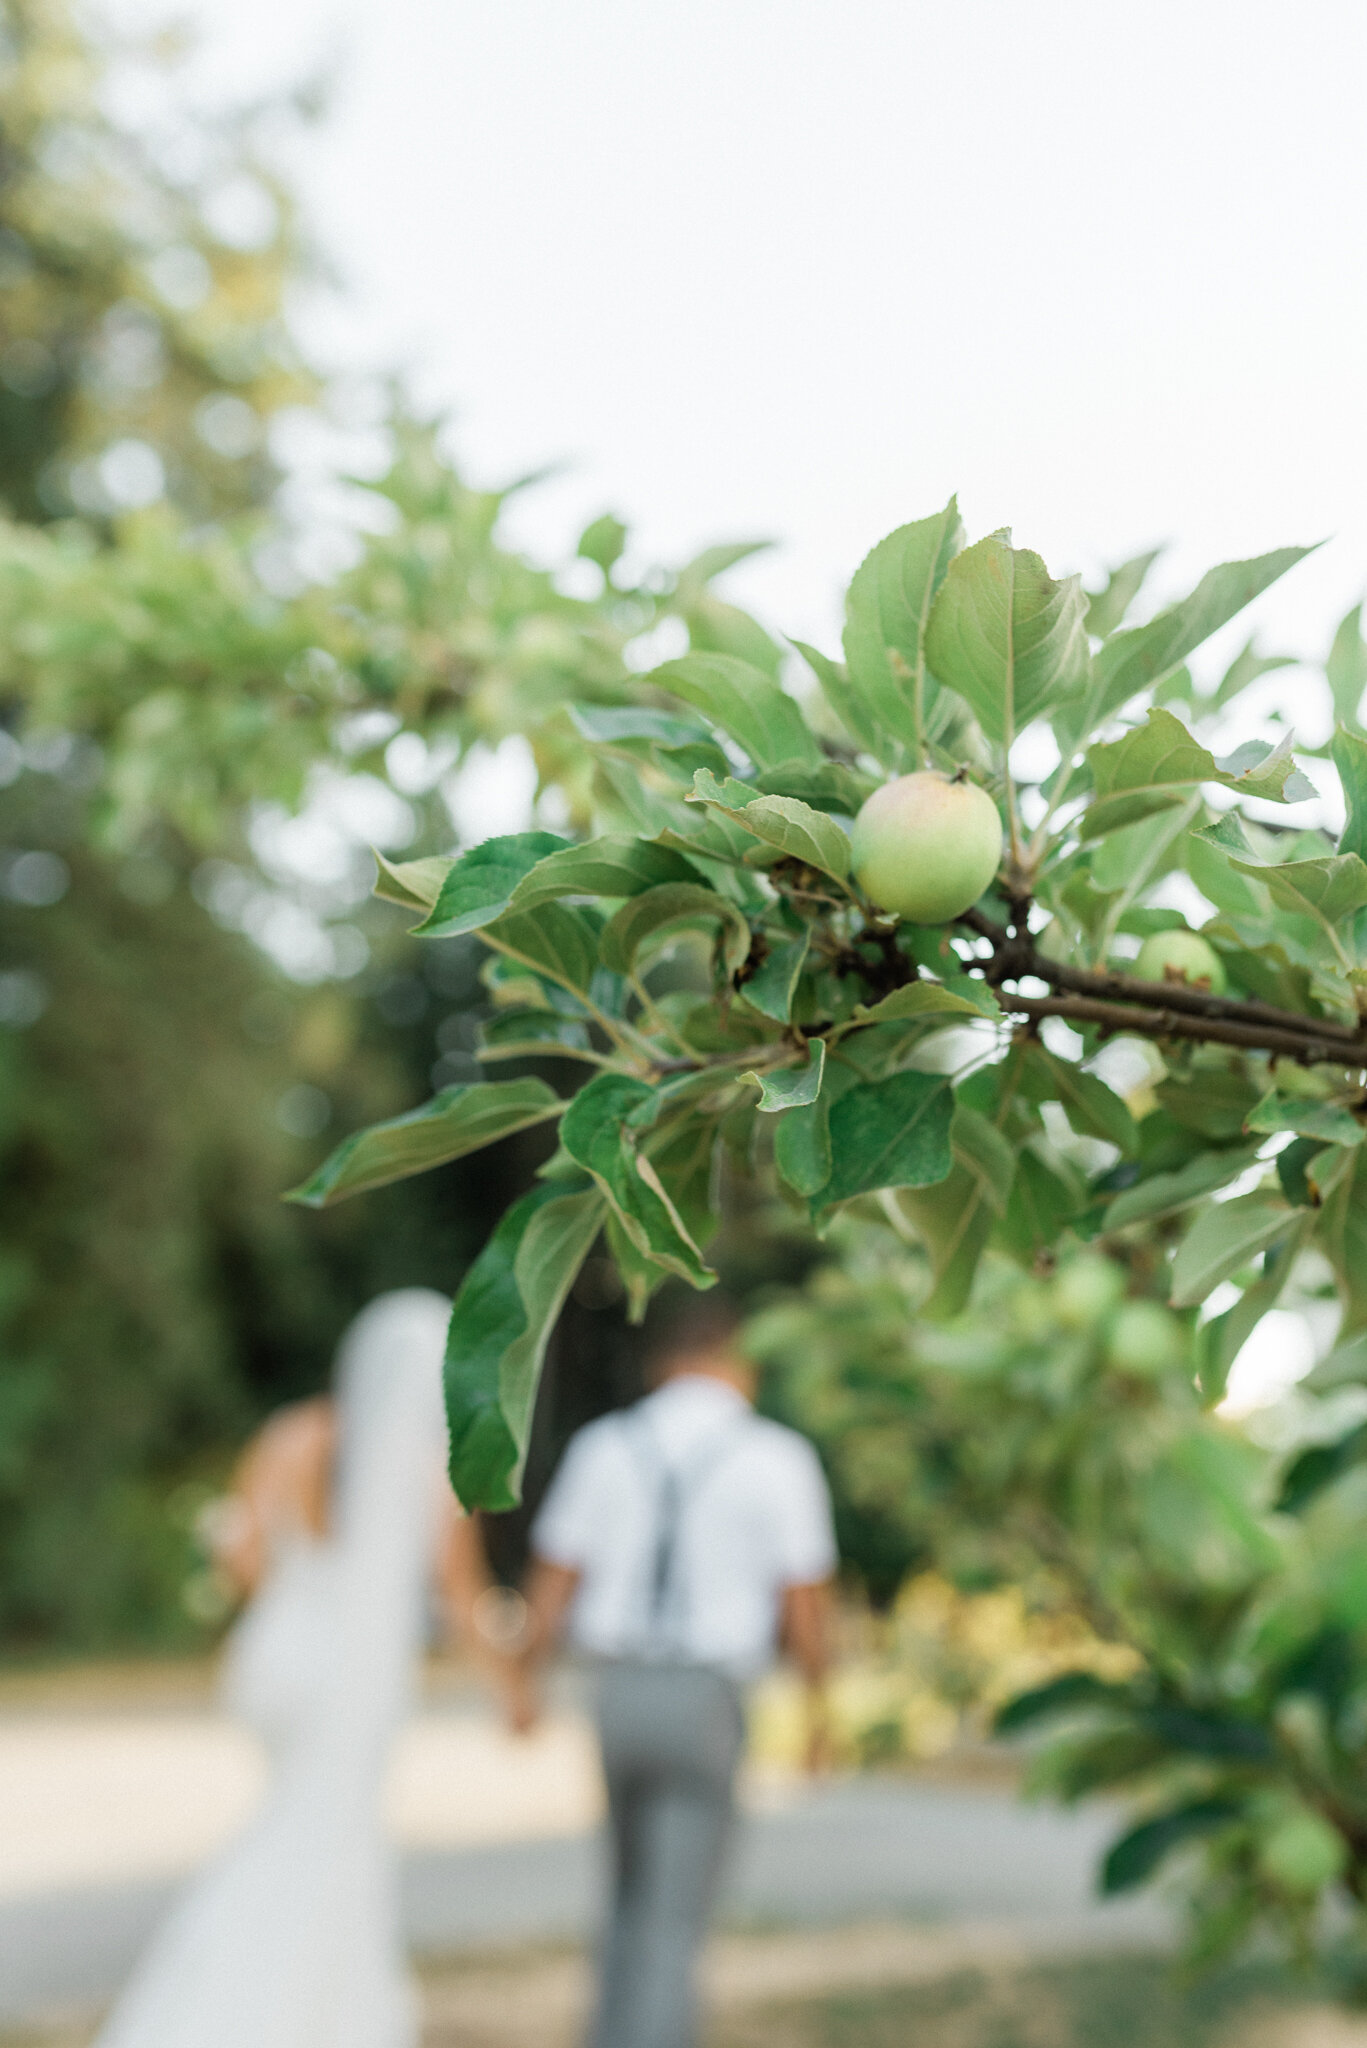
column 200, row 732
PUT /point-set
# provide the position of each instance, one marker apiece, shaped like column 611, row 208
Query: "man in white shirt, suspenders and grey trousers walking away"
column 681, row 1541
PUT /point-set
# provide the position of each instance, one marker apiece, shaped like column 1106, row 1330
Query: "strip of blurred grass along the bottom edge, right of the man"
column 1124, row 2002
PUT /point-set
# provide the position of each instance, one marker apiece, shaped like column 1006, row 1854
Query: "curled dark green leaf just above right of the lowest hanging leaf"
column 602, row 1132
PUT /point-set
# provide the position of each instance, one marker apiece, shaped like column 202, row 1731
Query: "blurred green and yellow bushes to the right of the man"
column 1169, row 1607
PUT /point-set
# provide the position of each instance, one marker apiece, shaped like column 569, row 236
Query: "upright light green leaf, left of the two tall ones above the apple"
column 886, row 617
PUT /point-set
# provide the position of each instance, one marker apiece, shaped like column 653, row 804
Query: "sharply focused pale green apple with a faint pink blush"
column 927, row 847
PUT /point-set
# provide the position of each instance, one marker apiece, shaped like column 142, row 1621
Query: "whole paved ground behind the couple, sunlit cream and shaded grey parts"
column 114, row 1795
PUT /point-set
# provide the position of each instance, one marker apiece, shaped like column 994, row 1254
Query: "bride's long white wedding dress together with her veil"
column 290, row 1940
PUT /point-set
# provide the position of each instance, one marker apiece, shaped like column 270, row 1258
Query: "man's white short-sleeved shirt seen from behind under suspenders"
column 753, row 1519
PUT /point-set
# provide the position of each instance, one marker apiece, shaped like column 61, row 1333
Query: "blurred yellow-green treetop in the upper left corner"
column 142, row 275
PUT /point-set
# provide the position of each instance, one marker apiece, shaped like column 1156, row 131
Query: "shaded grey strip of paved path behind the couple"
column 845, row 1852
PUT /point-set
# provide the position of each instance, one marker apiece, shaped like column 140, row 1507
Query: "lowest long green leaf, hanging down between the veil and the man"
column 501, row 1322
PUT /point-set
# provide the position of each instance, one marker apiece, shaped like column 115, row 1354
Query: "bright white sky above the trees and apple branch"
column 804, row 267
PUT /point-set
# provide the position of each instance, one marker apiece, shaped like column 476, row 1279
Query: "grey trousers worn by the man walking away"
column 671, row 1742
